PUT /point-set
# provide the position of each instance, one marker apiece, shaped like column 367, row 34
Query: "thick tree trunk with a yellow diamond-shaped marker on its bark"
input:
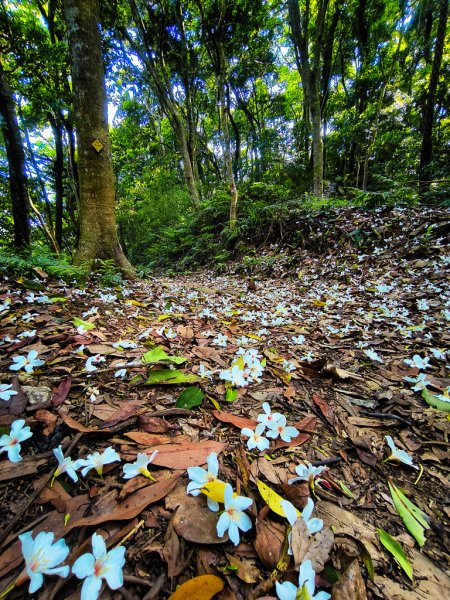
column 98, row 229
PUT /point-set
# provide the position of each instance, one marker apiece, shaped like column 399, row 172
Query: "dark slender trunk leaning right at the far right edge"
column 426, row 150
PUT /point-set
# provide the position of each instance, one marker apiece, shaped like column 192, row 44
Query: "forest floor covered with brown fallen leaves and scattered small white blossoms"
column 334, row 335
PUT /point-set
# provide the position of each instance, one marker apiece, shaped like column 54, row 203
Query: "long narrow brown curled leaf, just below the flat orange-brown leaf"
column 132, row 506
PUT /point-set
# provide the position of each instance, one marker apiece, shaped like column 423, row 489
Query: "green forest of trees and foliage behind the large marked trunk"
column 220, row 111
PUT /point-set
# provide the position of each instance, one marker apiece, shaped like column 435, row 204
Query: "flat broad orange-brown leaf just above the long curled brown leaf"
column 185, row 454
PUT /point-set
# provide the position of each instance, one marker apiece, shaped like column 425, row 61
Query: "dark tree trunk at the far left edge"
column 16, row 164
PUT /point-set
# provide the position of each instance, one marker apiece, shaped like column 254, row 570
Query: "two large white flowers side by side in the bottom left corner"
column 42, row 557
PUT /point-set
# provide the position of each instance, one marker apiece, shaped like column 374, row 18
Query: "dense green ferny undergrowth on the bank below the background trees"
column 267, row 214
